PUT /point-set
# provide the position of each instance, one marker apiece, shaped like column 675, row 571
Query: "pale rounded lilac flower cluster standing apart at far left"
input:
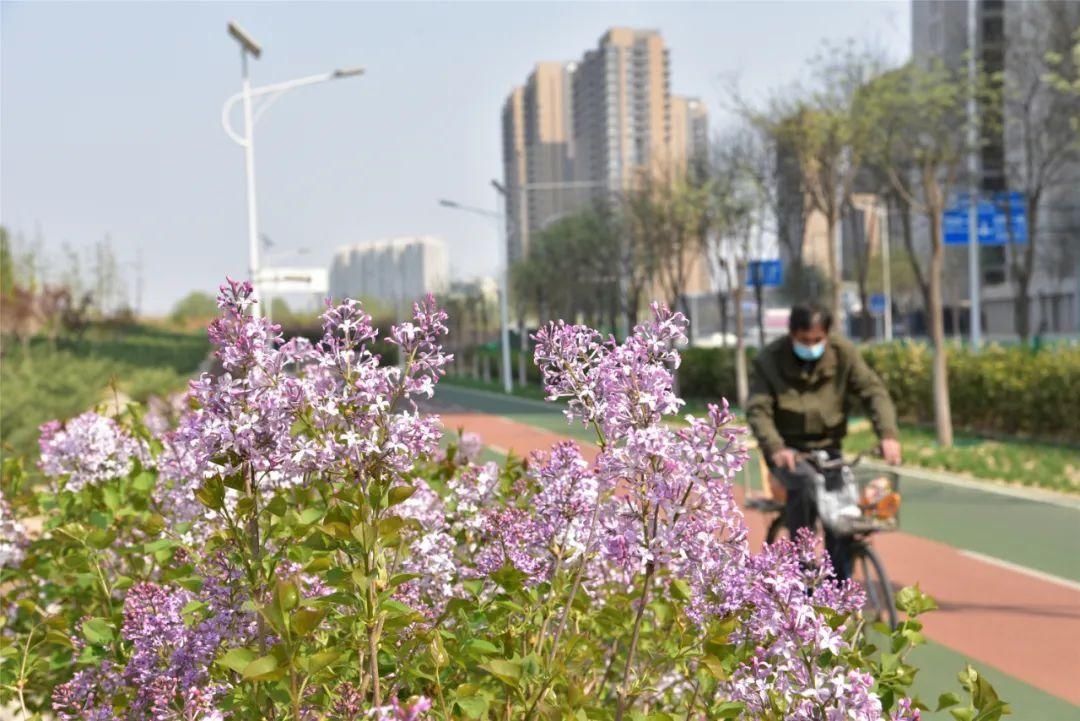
column 88, row 451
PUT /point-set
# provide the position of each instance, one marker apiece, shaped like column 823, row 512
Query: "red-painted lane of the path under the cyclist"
column 1027, row 627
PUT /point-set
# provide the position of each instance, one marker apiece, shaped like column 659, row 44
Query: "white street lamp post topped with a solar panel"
column 248, row 97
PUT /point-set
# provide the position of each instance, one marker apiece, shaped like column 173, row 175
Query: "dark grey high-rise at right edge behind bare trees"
column 1011, row 40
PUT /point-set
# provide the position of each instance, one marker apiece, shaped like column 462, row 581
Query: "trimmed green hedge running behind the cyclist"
column 1012, row 391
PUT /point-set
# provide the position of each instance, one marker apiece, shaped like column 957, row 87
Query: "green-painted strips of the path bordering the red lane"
column 1029, row 537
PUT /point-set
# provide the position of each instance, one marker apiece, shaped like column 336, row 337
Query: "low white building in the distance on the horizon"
column 395, row 270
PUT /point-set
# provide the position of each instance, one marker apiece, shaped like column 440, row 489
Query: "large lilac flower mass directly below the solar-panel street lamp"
column 283, row 412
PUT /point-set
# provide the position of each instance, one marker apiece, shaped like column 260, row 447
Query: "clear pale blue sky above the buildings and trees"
column 110, row 120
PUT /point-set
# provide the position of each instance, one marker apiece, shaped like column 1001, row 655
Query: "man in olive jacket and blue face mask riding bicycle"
column 798, row 404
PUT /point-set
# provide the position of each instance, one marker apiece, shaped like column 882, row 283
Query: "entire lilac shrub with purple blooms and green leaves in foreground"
column 302, row 547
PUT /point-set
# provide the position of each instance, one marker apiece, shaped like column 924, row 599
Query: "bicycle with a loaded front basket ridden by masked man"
column 868, row 568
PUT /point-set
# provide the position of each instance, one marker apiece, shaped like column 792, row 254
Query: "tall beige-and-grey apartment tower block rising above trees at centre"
column 596, row 125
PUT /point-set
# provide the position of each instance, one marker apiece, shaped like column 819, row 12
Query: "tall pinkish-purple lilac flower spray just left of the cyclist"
column 666, row 495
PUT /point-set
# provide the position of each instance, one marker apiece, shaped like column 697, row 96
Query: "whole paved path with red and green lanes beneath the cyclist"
column 1004, row 569
